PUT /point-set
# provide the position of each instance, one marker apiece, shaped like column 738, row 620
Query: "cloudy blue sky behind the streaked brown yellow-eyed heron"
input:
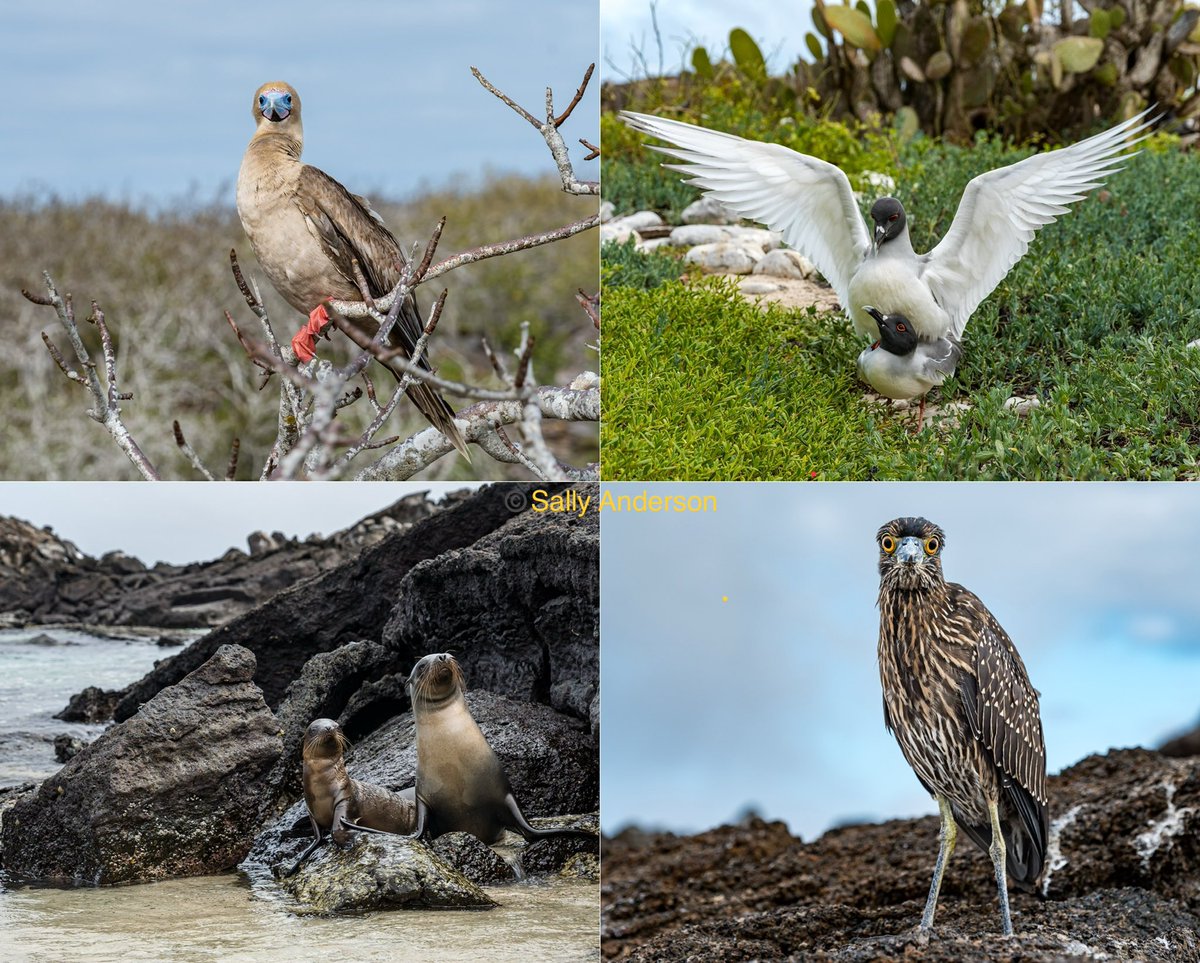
column 772, row 698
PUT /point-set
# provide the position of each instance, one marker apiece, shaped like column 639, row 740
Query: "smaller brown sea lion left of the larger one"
column 339, row 804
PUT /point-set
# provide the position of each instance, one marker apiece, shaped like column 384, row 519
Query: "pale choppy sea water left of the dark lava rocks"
column 39, row 680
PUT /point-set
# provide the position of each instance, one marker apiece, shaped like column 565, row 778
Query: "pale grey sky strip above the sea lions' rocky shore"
column 193, row 522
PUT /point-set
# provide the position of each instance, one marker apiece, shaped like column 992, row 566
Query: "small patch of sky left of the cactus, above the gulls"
column 631, row 45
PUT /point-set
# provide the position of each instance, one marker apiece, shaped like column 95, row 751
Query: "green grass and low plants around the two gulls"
column 1096, row 320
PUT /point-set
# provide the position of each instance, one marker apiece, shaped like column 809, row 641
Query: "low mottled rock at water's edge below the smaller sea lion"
column 382, row 872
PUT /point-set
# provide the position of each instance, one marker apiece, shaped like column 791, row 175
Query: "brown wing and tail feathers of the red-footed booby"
column 349, row 230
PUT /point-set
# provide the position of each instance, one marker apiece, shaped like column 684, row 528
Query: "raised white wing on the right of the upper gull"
column 1003, row 210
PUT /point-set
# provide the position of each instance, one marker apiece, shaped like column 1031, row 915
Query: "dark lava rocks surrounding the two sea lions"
column 200, row 774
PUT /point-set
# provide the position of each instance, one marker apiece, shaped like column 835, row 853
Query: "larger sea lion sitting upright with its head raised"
column 461, row 786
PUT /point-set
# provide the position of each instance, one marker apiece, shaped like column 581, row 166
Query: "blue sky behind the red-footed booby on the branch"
column 146, row 100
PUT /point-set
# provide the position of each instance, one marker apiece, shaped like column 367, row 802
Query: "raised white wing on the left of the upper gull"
column 807, row 200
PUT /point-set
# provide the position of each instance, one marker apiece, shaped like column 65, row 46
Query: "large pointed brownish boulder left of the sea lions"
column 175, row 792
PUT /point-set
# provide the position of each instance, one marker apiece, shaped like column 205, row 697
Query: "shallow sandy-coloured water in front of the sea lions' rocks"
column 218, row 918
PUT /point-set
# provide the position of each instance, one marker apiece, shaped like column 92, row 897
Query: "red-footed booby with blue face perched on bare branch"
column 307, row 229
